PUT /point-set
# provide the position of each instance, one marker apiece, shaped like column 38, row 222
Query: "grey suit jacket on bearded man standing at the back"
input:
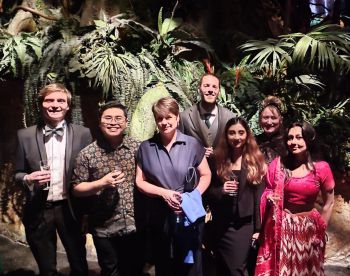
column 192, row 124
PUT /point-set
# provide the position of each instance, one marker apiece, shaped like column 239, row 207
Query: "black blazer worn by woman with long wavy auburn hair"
column 221, row 205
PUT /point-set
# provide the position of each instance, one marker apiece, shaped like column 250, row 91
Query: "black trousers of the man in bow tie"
column 42, row 240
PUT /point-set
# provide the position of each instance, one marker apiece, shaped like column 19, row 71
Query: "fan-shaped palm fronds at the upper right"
column 325, row 47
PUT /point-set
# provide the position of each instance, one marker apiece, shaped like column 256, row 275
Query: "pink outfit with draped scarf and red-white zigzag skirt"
column 279, row 253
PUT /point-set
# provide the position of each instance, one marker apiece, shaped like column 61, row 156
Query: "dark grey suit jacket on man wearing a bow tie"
column 30, row 150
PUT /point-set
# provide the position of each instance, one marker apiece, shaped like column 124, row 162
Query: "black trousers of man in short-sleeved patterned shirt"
column 119, row 255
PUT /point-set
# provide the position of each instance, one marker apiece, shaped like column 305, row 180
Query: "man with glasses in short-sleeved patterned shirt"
column 105, row 171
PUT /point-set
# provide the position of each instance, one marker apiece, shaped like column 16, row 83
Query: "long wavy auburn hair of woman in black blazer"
column 252, row 158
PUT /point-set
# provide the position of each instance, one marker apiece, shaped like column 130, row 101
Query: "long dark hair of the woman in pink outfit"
column 309, row 136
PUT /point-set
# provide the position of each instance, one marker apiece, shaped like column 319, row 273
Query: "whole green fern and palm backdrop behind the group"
column 123, row 59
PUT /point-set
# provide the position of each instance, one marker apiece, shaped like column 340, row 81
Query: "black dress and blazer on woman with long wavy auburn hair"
column 235, row 219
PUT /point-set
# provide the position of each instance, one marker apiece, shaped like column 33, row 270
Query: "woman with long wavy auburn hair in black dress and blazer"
column 234, row 197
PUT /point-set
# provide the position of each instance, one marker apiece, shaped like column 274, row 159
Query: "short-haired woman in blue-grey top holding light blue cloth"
column 165, row 165
